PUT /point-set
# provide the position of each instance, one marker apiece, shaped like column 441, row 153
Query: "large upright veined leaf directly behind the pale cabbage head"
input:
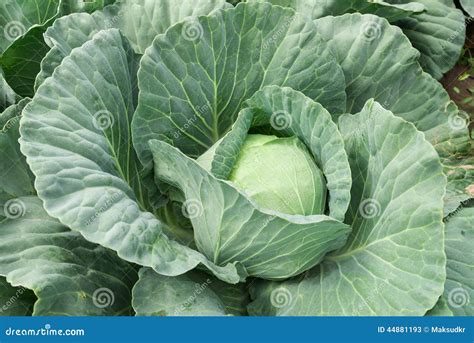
column 194, row 79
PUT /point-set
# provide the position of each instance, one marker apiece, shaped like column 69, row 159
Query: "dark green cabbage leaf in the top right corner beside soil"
column 438, row 33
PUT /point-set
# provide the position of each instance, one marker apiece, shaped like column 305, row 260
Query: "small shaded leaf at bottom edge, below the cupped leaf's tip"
column 191, row 294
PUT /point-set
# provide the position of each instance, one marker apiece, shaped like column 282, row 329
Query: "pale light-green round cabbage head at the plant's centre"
column 296, row 185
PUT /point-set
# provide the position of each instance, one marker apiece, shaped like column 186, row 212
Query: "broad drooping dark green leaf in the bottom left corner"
column 69, row 275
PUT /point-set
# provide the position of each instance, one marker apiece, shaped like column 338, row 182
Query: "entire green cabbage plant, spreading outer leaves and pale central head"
column 199, row 158
